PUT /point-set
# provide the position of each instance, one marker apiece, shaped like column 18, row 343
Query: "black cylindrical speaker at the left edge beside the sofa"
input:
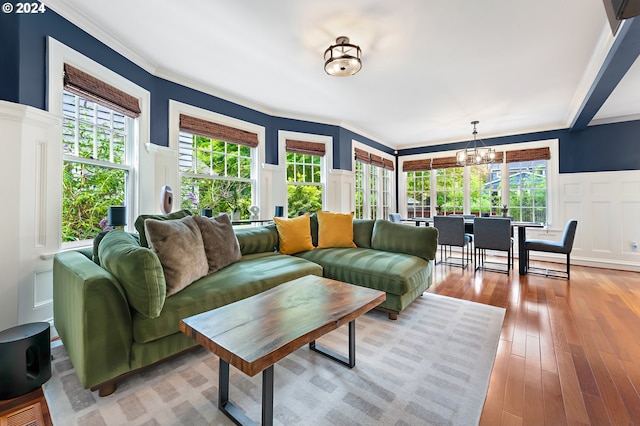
column 25, row 359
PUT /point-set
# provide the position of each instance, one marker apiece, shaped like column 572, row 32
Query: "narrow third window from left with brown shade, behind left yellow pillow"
column 305, row 186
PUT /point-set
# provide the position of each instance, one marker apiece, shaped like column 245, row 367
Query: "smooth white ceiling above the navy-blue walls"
column 429, row 66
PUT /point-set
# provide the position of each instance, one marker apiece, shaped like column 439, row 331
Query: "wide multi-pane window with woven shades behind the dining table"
column 522, row 180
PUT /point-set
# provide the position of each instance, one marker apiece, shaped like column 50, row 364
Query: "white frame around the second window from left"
column 257, row 154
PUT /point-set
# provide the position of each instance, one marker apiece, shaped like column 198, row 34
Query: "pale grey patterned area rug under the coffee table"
column 431, row 366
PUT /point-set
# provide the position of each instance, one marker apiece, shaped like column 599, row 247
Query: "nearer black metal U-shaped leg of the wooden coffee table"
column 236, row 414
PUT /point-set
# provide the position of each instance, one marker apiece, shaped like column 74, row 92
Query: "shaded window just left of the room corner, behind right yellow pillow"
column 373, row 182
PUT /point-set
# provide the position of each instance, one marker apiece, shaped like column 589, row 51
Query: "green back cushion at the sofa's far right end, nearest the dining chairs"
column 400, row 238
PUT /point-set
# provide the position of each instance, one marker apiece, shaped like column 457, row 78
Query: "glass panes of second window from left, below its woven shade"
column 215, row 174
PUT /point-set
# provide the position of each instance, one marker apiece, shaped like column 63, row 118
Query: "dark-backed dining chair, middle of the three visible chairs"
column 492, row 233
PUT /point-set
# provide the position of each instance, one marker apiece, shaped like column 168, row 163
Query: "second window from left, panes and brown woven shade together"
column 215, row 163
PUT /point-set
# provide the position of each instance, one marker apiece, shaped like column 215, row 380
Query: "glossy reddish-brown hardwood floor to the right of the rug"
column 569, row 352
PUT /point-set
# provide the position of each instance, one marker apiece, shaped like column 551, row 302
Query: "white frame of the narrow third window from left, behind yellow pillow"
column 325, row 161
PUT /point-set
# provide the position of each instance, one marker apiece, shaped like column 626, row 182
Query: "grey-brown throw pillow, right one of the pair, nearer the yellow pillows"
column 220, row 243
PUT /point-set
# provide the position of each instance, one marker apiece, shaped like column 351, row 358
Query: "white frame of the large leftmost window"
column 58, row 55
